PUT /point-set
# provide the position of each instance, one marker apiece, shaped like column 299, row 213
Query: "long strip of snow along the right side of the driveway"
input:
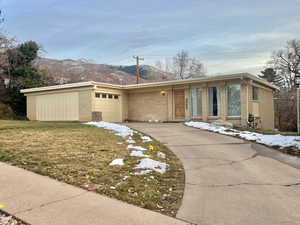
column 266, row 139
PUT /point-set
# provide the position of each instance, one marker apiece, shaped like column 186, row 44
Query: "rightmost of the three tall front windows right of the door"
column 234, row 100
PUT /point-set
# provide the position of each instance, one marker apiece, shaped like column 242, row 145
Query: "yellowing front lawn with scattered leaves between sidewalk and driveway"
column 80, row 155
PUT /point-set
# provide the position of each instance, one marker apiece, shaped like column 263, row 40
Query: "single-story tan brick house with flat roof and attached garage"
column 230, row 98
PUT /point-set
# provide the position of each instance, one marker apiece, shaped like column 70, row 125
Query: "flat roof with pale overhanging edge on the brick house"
column 153, row 84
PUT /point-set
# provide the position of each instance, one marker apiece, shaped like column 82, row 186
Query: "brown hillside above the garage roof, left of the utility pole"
column 71, row 71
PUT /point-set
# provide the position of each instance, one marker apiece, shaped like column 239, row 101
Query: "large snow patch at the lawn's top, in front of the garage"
column 118, row 129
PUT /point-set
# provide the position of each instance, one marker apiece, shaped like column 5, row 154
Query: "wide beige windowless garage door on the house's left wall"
column 57, row 107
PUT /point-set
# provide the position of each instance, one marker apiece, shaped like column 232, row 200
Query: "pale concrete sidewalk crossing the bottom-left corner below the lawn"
column 40, row 200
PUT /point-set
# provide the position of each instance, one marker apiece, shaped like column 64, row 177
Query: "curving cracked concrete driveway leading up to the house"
column 227, row 181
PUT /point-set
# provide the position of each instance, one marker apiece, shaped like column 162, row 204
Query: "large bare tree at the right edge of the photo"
column 286, row 62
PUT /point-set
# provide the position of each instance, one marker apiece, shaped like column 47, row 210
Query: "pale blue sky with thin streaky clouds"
column 226, row 36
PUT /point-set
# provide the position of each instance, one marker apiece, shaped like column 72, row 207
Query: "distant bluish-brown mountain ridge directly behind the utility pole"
column 146, row 72
